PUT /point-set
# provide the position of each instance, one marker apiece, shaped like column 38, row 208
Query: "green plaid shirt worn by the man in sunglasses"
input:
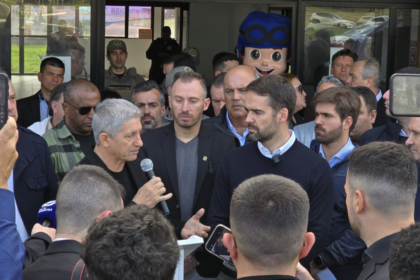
column 65, row 149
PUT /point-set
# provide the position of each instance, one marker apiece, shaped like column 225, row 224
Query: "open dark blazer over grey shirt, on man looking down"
column 159, row 146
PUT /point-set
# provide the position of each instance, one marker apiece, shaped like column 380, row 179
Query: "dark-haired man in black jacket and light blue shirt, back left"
column 34, row 108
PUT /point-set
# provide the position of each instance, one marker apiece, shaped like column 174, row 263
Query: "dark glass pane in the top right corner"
column 407, row 47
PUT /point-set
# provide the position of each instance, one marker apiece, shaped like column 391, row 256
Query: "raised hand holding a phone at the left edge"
column 8, row 139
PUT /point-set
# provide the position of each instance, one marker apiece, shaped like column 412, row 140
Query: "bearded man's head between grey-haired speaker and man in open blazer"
column 150, row 100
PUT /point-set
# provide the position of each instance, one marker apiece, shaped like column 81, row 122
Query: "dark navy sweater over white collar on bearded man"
column 298, row 163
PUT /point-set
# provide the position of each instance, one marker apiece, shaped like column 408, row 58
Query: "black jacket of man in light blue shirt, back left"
column 28, row 110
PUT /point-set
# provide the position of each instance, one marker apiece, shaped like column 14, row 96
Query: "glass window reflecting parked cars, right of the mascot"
column 330, row 29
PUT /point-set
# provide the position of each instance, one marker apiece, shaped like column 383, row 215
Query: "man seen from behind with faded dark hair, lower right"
column 380, row 200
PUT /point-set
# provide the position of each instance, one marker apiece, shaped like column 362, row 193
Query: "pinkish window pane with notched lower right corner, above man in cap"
column 139, row 18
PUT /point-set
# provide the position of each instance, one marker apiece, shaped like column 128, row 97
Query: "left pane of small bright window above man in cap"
column 115, row 21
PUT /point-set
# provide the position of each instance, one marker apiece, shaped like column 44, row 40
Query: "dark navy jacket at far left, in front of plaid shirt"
column 34, row 177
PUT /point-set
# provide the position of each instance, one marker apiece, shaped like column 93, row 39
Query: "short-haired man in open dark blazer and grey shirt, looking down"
column 186, row 154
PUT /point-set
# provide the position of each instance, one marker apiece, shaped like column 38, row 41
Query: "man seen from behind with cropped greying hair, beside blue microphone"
column 87, row 194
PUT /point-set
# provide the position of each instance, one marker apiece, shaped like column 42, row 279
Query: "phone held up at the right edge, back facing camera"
column 404, row 95
